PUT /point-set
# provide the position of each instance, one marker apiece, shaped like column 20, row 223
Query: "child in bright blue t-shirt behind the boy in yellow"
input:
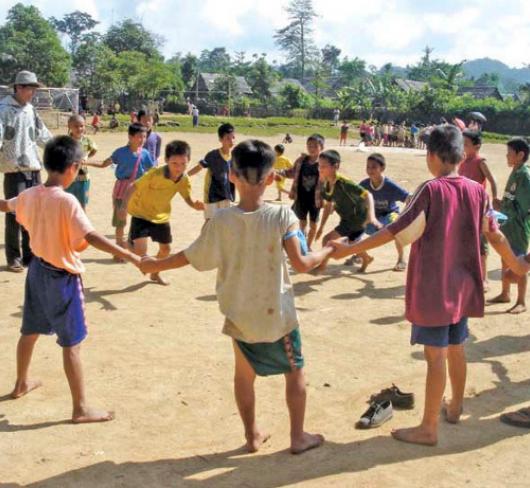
column 131, row 161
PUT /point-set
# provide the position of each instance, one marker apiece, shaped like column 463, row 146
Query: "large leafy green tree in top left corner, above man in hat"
column 29, row 41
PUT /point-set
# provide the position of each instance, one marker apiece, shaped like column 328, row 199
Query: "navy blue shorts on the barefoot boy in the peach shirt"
column 54, row 303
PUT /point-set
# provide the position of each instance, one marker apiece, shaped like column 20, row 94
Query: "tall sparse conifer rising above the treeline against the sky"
column 295, row 38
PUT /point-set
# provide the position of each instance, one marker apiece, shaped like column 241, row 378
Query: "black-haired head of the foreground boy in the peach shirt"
column 62, row 156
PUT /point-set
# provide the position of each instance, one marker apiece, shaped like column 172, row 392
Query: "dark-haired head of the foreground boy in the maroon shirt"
column 445, row 147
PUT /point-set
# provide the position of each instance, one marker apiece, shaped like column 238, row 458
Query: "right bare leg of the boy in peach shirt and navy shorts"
column 81, row 412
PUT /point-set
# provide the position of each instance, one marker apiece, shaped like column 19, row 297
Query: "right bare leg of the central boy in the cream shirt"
column 295, row 394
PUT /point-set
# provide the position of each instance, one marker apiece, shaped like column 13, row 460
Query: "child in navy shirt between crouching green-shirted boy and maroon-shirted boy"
column 386, row 194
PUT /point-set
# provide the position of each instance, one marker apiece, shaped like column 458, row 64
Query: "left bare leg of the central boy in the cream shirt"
column 244, row 377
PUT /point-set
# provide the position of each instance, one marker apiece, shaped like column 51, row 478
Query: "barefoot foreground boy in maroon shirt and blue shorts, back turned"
column 443, row 222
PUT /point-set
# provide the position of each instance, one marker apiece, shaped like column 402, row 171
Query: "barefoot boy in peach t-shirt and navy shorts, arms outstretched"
column 54, row 303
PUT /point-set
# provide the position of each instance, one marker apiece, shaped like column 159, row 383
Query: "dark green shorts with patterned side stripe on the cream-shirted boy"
column 270, row 358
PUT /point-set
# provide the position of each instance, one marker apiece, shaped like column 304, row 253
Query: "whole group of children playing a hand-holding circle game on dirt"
column 444, row 220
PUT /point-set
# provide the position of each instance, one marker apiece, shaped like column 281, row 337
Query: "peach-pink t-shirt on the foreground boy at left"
column 56, row 223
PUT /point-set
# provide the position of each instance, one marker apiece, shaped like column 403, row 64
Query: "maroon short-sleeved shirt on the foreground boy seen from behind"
column 444, row 221
